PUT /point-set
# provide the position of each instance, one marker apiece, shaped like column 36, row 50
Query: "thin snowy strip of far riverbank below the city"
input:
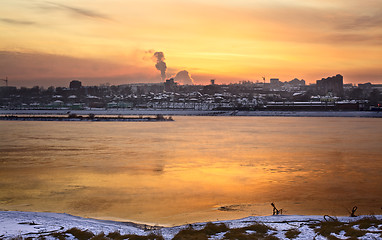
column 149, row 112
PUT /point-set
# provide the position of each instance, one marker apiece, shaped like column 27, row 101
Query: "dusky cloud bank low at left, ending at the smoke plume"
column 30, row 69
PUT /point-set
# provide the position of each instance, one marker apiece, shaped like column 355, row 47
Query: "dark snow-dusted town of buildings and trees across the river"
column 244, row 96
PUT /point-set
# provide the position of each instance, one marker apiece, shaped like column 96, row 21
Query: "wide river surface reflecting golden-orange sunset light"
column 182, row 171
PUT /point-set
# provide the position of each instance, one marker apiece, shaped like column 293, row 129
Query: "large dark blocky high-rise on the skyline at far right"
column 334, row 84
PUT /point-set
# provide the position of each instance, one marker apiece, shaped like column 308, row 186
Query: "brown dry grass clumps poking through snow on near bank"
column 328, row 229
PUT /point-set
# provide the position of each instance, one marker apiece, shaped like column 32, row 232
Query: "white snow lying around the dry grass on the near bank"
column 34, row 224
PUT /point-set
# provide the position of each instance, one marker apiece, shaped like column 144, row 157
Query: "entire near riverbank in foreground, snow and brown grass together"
column 51, row 225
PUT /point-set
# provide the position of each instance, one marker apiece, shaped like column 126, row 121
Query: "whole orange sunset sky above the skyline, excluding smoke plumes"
column 51, row 42
